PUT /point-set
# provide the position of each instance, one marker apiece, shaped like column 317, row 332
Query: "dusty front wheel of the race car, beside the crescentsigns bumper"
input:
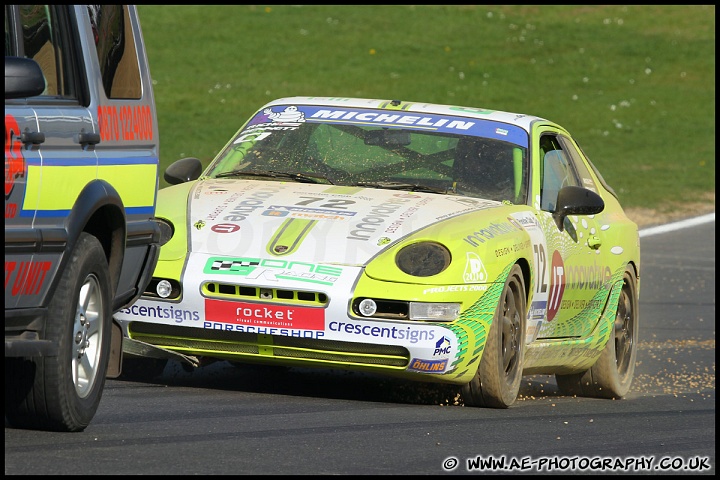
column 497, row 381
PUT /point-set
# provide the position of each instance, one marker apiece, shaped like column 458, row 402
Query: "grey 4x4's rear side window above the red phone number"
column 115, row 47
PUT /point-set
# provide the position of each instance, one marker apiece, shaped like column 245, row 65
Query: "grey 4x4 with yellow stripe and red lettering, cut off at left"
column 81, row 180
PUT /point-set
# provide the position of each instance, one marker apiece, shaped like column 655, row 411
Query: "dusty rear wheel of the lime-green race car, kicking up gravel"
column 613, row 372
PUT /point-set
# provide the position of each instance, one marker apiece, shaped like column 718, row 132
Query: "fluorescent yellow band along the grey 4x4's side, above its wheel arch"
column 59, row 186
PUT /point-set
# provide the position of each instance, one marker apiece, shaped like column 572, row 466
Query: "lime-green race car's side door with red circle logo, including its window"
column 575, row 276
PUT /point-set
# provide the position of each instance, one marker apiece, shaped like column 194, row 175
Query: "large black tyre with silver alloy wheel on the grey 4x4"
column 63, row 393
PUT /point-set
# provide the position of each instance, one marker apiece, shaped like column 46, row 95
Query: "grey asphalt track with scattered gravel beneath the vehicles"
column 222, row 419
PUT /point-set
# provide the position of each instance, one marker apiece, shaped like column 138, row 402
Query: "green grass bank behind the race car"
column 635, row 85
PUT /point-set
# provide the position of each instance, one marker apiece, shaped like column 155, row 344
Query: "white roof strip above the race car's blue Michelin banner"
column 520, row 119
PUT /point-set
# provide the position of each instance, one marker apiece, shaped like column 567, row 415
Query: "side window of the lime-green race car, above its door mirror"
column 557, row 171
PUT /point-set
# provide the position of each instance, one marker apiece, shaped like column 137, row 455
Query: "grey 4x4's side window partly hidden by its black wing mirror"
column 42, row 42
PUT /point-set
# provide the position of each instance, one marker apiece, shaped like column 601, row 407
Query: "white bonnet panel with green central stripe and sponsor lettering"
column 311, row 222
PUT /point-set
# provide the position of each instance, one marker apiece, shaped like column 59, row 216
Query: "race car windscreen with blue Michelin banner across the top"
column 438, row 153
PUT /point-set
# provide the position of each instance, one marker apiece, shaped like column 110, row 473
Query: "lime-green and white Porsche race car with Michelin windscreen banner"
column 437, row 243
